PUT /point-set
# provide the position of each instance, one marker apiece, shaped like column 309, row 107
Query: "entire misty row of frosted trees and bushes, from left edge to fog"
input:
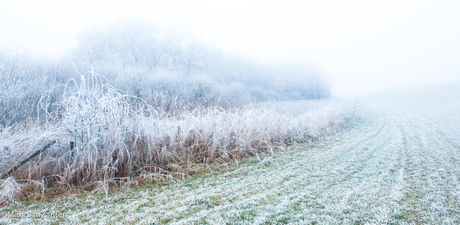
column 154, row 63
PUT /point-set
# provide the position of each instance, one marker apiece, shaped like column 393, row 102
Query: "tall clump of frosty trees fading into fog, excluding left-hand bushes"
column 142, row 58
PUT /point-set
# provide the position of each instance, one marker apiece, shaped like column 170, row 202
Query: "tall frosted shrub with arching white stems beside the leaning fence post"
column 96, row 120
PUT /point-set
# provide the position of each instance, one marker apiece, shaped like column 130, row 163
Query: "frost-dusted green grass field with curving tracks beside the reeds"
column 401, row 165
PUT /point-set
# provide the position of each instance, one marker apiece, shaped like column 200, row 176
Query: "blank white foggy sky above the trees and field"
column 364, row 45
